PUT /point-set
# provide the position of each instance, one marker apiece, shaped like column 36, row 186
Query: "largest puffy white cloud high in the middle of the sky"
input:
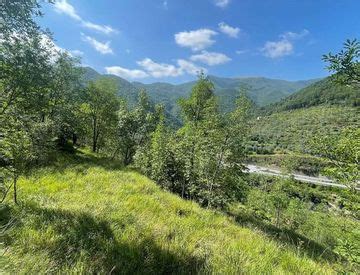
column 196, row 40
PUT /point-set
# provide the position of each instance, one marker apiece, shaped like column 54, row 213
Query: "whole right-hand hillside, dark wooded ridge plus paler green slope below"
column 323, row 108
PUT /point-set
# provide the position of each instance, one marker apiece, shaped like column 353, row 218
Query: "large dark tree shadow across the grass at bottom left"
column 83, row 238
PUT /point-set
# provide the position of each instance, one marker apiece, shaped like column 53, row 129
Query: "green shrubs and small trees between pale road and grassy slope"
column 314, row 219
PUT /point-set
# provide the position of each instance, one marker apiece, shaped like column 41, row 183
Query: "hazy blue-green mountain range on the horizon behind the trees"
column 261, row 90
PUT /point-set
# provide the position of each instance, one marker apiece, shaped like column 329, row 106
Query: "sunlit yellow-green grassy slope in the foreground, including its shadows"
column 91, row 216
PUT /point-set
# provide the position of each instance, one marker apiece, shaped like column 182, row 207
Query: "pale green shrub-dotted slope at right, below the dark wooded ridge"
column 292, row 130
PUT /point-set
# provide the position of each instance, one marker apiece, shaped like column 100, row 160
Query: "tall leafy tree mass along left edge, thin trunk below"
column 37, row 85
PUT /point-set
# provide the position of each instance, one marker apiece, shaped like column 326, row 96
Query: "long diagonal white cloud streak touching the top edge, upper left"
column 63, row 7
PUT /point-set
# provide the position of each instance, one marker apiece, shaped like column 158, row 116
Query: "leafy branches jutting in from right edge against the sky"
column 345, row 64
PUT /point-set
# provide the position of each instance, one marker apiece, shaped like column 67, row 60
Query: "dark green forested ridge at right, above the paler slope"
column 324, row 92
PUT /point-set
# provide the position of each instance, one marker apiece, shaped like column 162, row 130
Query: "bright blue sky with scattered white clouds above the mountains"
column 158, row 40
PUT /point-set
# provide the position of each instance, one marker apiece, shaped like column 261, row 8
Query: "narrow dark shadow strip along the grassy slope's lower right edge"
column 286, row 236
